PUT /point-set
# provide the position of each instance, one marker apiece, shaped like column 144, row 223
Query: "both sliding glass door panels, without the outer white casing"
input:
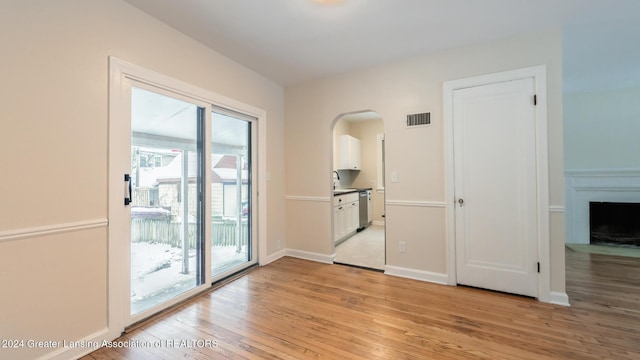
column 189, row 196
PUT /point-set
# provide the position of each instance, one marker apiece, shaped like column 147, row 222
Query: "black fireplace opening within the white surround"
column 612, row 223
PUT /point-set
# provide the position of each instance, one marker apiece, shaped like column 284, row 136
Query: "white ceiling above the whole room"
column 292, row 41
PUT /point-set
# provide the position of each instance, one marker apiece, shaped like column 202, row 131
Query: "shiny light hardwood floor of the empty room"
column 297, row 309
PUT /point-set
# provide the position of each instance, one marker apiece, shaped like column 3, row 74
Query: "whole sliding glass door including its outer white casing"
column 183, row 191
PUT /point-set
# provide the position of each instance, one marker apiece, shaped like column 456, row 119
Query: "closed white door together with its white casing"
column 500, row 171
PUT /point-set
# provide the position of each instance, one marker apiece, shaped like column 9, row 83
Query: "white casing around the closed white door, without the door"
column 539, row 75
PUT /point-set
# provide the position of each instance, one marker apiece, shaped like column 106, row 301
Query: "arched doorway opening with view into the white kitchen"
column 358, row 189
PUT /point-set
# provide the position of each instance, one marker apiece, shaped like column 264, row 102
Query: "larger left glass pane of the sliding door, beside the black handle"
column 166, row 211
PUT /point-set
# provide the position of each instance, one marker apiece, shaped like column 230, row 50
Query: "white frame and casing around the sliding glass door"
column 121, row 73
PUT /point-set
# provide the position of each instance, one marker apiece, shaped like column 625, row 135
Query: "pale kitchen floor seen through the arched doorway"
column 365, row 249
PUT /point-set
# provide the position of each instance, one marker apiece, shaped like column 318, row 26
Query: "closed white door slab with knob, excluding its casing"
column 494, row 135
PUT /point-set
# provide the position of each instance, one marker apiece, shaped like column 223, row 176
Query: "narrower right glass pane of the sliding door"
column 231, row 200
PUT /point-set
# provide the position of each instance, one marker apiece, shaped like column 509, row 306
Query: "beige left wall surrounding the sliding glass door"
column 53, row 149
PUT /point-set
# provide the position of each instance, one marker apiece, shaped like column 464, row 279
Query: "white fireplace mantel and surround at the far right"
column 583, row 186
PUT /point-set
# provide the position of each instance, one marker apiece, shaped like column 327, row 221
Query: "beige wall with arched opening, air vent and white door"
column 417, row 155
